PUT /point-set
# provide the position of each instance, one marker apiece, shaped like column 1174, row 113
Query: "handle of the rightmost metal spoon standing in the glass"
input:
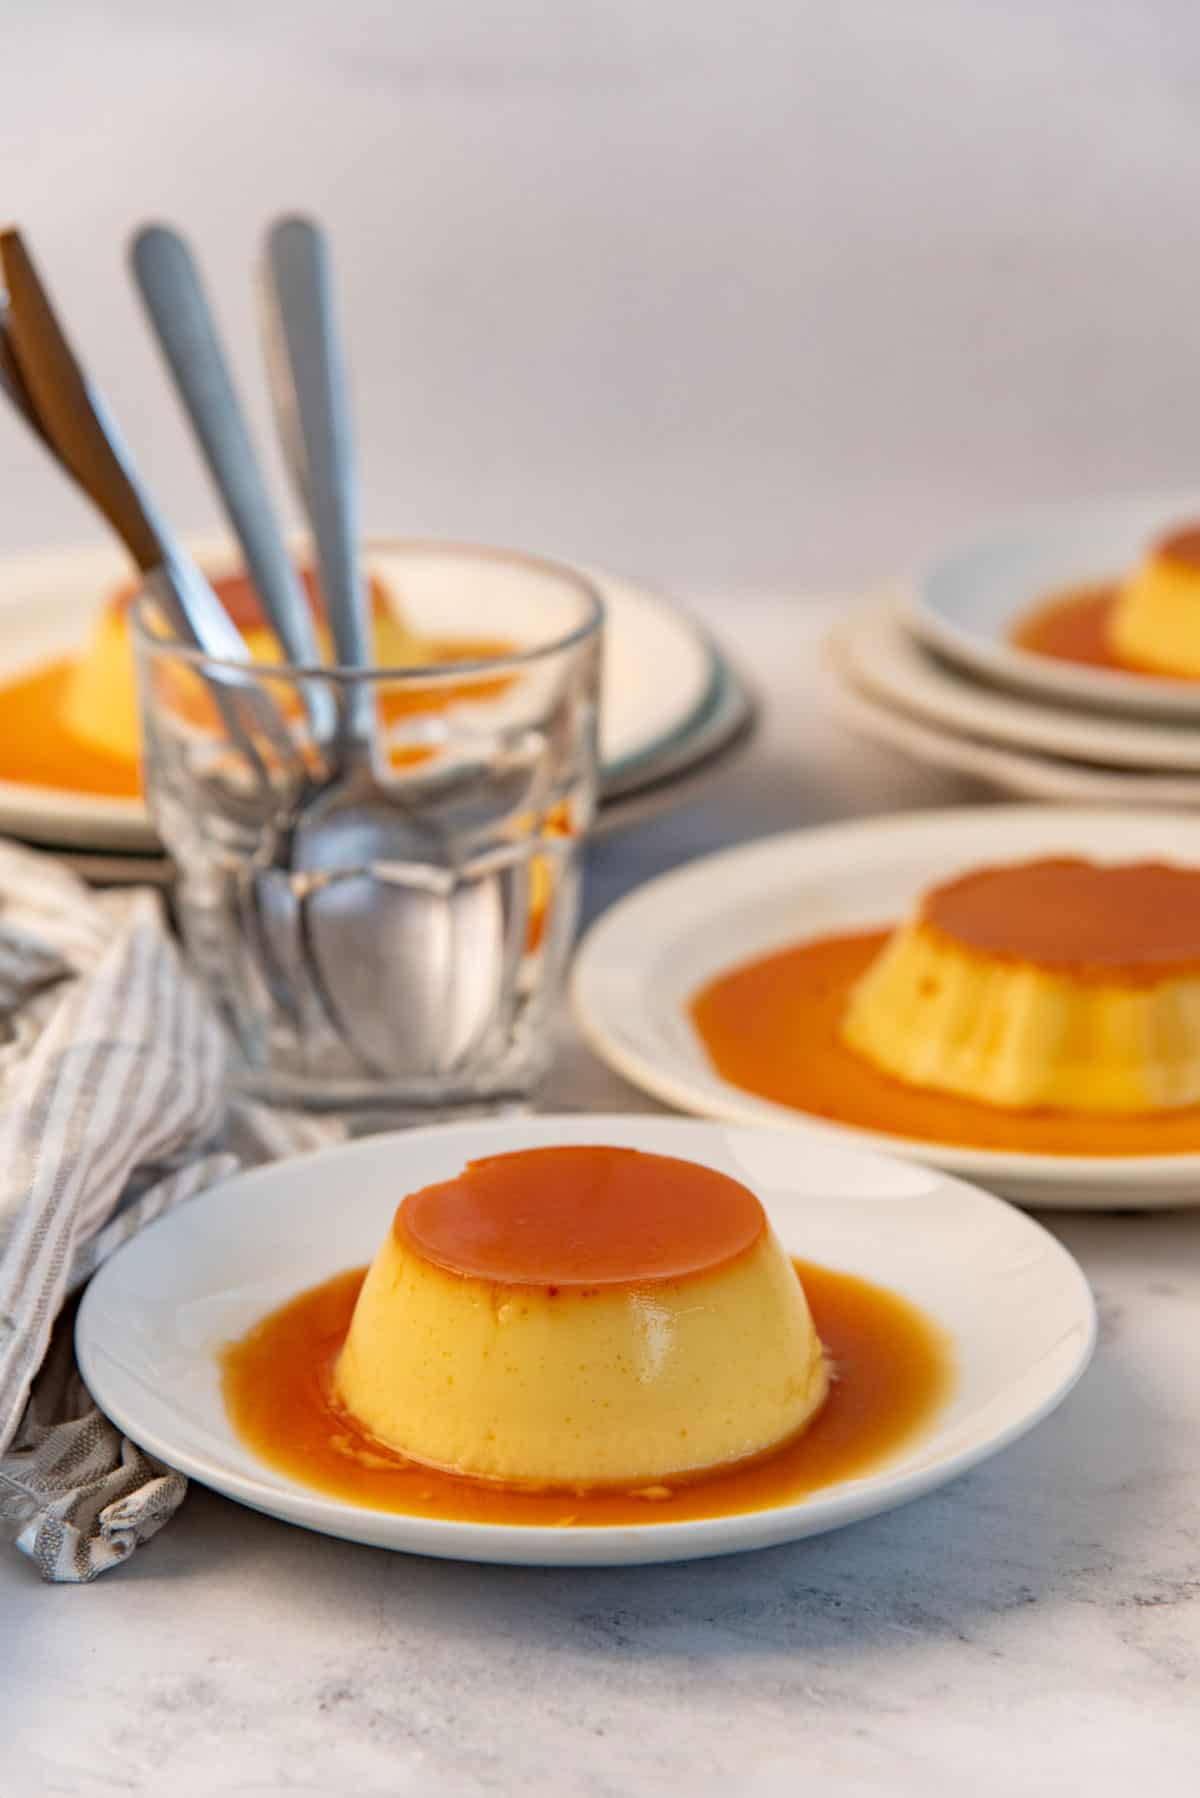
column 309, row 355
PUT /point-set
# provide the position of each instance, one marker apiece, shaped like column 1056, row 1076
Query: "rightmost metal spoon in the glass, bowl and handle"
column 411, row 956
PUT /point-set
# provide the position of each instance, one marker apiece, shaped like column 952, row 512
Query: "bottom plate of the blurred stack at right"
column 1016, row 772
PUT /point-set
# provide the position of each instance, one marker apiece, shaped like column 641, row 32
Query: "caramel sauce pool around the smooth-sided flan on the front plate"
column 893, row 1369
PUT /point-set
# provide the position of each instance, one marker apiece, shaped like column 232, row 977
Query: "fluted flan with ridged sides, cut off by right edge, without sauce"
column 1050, row 984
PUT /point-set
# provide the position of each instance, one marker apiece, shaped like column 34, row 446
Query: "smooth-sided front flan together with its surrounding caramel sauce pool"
column 584, row 1335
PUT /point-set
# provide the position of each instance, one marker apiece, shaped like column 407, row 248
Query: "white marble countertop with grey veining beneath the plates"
column 1034, row 1626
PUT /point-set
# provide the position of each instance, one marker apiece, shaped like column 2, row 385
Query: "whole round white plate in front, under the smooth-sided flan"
column 154, row 1319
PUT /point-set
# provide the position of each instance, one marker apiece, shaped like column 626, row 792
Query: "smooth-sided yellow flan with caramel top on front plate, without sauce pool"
column 582, row 1319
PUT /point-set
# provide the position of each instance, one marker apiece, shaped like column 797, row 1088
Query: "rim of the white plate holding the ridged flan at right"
column 1172, row 1179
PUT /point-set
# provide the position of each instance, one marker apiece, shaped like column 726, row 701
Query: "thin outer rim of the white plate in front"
column 697, row 1538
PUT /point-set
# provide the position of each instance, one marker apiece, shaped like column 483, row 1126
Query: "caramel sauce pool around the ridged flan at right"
column 771, row 1028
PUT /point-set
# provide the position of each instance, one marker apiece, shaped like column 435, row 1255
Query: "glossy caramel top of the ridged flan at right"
column 1131, row 925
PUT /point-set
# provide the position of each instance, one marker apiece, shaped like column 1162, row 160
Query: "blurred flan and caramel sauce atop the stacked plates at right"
column 1147, row 623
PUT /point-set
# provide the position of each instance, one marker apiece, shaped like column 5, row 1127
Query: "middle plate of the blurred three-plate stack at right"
column 890, row 664
